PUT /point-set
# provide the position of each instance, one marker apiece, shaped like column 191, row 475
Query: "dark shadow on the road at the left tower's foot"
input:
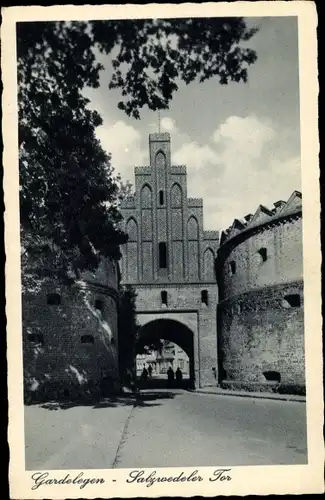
column 145, row 399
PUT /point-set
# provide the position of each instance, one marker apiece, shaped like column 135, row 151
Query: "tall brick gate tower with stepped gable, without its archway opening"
column 170, row 260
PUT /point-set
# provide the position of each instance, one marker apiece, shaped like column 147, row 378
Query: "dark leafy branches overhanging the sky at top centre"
column 155, row 54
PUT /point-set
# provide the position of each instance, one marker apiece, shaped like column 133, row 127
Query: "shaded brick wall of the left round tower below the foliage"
column 62, row 363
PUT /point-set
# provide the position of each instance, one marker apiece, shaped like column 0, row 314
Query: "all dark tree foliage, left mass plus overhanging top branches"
column 69, row 192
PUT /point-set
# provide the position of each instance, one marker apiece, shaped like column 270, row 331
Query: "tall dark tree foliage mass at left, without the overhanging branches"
column 69, row 195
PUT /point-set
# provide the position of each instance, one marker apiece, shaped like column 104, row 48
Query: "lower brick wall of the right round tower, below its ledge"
column 260, row 332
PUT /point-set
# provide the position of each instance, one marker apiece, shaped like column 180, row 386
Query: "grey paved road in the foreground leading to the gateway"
column 166, row 428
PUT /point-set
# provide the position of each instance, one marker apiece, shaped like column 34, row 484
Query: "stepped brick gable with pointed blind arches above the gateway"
column 177, row 221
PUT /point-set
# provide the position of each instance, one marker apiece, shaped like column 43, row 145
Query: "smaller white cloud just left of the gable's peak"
column 123, row 141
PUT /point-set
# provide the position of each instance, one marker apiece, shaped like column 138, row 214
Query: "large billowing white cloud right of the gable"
column 243, row 165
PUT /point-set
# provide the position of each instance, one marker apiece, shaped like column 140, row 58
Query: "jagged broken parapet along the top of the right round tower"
column 263, row 215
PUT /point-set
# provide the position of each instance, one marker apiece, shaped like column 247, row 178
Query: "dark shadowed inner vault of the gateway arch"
column 173, row 331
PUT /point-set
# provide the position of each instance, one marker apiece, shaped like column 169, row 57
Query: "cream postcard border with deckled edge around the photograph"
column 245, row 480
